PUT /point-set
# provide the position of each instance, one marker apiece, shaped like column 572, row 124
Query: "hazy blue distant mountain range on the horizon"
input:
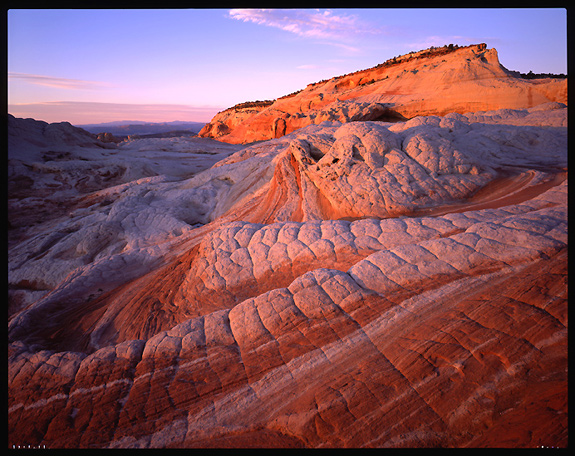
column 135, row 127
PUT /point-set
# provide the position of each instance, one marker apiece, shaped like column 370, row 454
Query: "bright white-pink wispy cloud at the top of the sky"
column 318, row 24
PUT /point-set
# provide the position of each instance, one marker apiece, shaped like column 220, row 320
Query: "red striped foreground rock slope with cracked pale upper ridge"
column 335, row 359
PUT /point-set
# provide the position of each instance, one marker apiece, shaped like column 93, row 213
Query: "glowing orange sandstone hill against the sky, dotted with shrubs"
column 429, row 82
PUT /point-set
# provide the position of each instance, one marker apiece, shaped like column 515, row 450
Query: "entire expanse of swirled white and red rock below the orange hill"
column 348, row 284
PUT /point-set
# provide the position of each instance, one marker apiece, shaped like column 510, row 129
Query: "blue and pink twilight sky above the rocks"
column 101, row 65
